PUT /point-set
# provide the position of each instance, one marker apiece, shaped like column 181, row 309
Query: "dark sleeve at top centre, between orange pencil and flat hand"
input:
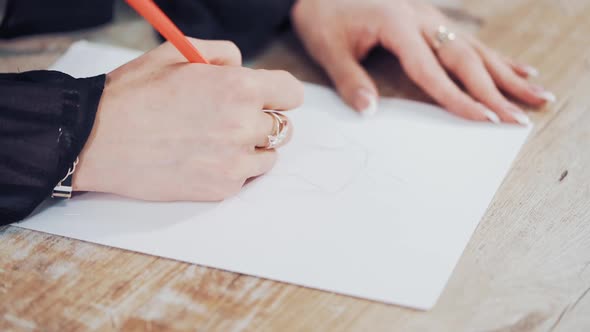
column 248, row 23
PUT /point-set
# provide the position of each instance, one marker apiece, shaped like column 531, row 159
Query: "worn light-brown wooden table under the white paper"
column 527, row 267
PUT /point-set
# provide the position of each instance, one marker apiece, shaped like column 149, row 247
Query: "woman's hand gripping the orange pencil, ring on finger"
column 169, row 130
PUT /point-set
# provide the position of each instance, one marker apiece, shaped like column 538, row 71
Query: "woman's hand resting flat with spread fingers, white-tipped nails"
column 339, row 33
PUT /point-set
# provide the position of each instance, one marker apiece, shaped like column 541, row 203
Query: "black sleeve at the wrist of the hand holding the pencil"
column 45, row 120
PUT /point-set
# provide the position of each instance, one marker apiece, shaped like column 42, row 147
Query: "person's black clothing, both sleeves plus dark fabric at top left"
column 46, row 117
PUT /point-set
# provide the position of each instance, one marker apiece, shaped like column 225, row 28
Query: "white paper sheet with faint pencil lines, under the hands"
column 379, row 208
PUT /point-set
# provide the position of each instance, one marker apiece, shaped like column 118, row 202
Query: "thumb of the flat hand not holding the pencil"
column 352, row 82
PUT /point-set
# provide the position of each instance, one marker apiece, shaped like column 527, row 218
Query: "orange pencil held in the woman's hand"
column 154, row 15
